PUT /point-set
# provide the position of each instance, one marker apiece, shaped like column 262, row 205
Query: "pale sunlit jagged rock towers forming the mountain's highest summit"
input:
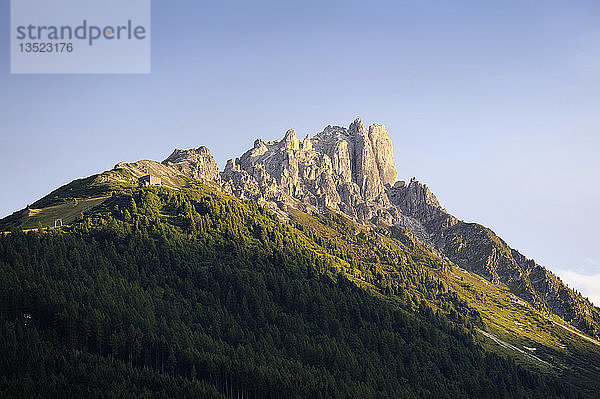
column 339, row 169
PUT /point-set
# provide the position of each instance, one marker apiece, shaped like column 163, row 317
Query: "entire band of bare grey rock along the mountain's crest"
column 352, row 170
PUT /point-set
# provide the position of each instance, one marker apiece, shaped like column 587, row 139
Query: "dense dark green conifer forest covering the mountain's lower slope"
column 192, row 293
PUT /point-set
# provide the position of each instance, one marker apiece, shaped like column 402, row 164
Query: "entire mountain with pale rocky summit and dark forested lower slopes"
column 304, row 268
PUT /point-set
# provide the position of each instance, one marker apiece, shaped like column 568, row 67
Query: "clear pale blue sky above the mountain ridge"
column 495, row 105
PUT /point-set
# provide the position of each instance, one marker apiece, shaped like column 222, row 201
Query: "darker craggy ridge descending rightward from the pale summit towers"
column 478, row 249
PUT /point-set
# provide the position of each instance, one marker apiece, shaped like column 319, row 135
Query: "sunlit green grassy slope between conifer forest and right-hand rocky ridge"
column 537, row 338
